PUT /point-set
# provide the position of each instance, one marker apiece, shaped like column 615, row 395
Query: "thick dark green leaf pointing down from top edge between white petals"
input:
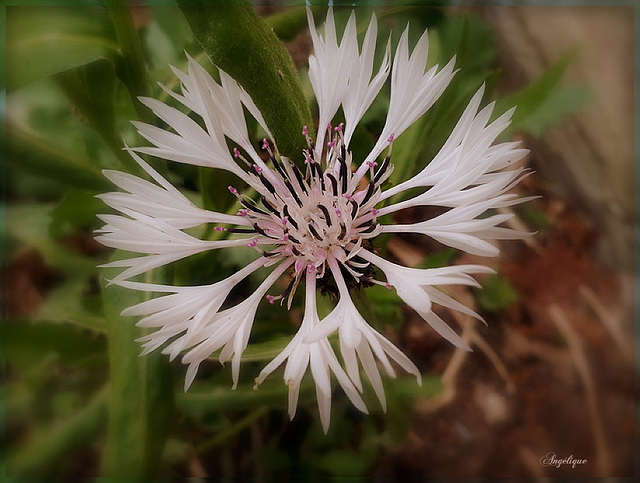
column 239, row 42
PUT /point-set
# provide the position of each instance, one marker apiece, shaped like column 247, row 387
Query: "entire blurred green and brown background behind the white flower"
column 551, row 373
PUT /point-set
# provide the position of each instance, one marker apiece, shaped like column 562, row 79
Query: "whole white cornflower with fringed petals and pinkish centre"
column 312, row 225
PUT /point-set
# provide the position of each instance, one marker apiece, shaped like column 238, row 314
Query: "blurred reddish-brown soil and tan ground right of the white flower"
column 554, row 372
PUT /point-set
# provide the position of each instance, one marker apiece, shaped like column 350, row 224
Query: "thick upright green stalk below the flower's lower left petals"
column 141, row 395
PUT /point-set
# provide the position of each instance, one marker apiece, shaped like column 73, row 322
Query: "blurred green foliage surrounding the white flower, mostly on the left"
column 76, row 391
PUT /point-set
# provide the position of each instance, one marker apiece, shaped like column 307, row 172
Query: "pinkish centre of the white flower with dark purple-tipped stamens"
column 316, row 216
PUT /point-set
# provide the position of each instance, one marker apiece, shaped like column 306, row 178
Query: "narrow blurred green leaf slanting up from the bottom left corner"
column 48, row 450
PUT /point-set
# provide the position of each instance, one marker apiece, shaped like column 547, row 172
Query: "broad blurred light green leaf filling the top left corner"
column 46, row 40
